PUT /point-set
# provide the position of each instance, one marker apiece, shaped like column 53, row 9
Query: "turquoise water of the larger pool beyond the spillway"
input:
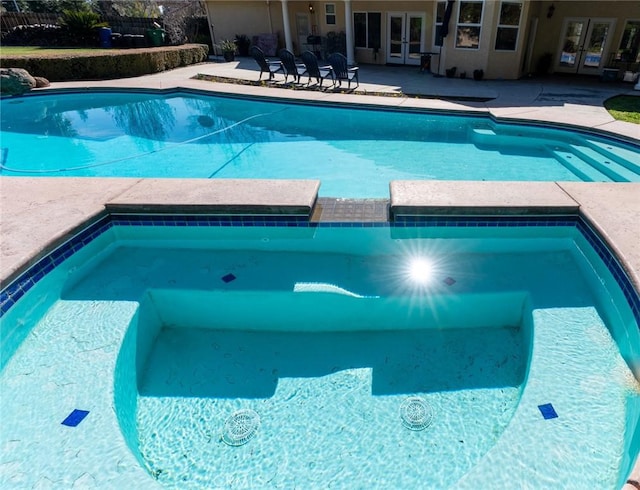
column 355, row 152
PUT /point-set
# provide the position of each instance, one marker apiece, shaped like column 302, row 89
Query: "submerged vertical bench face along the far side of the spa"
column 326, row 310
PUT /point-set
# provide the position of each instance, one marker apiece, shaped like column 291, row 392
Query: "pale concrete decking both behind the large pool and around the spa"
column 40, row 212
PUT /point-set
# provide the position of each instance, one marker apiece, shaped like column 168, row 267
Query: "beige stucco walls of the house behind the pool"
column 539, row 34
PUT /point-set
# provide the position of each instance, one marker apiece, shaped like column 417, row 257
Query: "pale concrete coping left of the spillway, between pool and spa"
column 39, row 214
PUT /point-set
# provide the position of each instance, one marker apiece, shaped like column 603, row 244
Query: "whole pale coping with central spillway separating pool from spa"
column 40, row 213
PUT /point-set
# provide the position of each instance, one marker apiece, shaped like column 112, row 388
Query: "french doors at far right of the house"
column 584, row 45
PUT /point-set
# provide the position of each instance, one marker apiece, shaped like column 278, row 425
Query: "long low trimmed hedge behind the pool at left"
column 106, row 65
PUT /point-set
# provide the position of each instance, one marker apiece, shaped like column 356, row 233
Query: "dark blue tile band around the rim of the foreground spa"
column 25, row 281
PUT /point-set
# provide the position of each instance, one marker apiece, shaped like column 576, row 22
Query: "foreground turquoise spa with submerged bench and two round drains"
column 495, row 324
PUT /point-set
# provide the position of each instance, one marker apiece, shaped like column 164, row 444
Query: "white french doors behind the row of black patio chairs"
column 405, row 37
